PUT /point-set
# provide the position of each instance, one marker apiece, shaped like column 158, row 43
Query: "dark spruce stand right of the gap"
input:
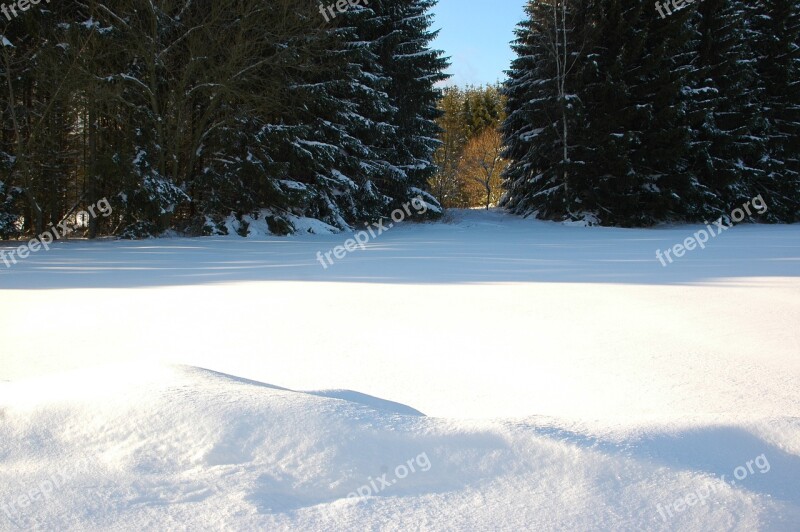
column 618, row 116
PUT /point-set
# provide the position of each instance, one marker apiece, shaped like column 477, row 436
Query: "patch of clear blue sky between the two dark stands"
column 476, row 35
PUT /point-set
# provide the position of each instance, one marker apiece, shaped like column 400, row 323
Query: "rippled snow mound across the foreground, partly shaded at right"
column 147, row 446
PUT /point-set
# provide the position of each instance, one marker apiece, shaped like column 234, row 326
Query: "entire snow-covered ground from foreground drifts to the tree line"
column 490, row 373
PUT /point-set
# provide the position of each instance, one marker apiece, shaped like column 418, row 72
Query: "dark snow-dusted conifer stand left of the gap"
column 184, row 113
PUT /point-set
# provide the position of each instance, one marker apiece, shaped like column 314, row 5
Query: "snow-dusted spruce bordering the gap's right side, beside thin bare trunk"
column 539, row 114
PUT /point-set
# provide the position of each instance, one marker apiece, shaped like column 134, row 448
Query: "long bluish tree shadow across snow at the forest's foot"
column 482, row 248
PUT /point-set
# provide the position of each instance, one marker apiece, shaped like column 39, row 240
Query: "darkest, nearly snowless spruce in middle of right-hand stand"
column 657, row 75
